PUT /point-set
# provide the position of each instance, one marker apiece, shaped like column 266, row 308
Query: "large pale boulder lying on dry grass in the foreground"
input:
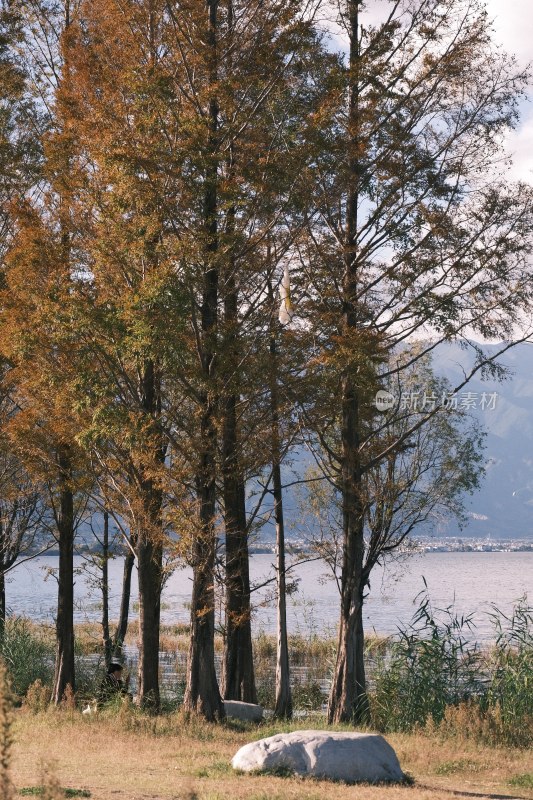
column 350, row 757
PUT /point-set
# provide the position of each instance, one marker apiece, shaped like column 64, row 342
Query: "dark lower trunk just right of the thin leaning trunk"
column 150, row 553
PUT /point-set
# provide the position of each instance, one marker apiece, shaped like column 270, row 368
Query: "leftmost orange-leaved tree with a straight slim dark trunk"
column 40, row 357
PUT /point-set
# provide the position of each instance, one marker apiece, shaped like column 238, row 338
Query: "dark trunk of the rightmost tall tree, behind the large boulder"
column 347, row 700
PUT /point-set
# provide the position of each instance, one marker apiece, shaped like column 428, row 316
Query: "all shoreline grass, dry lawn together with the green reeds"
column 458, row 717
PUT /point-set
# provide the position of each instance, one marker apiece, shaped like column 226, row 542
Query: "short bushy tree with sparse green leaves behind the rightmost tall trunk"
column 420, row 483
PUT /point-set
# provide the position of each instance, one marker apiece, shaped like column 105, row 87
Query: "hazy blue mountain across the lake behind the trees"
column 503, row 506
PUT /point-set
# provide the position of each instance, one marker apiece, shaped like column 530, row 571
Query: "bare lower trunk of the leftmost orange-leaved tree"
column 64, row 667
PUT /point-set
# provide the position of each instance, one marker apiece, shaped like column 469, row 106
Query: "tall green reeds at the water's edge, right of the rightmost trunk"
column 435, row 675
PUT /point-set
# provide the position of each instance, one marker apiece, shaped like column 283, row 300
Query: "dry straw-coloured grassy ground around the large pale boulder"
column 128, row 757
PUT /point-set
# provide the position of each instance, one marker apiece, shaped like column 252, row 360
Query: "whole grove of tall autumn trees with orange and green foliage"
column 165, row 169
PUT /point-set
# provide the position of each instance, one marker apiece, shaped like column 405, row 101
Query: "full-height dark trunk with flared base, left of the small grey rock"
column 202, row 693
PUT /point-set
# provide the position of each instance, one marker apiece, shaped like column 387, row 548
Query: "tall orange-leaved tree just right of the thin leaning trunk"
column 126, row 288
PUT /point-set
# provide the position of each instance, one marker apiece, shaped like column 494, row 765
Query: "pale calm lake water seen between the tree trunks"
column 470, row 581
